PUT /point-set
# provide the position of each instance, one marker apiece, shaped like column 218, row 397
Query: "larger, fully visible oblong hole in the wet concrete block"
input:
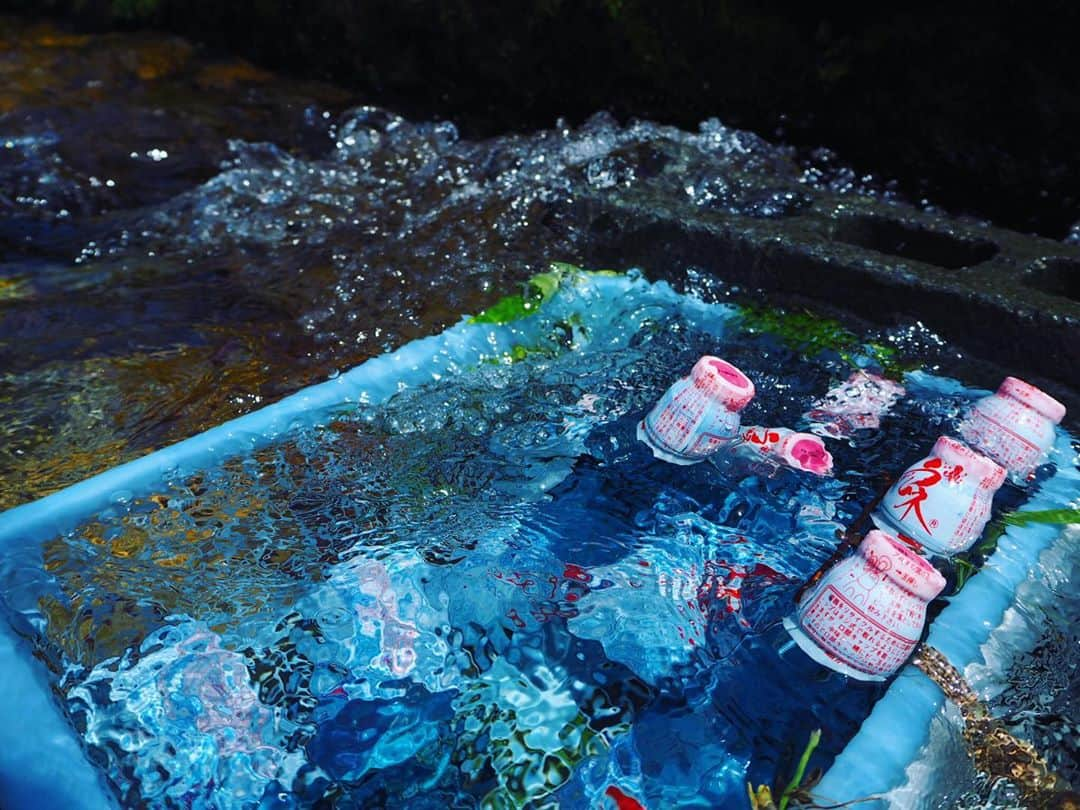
column 911, row 242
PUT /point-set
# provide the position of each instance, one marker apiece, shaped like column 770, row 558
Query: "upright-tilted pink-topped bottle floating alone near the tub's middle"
column 699, row 414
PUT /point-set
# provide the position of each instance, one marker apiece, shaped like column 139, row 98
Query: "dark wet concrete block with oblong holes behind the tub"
column 1007, row 299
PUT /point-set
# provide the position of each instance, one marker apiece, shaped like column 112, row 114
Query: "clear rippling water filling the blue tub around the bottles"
column 483, row 593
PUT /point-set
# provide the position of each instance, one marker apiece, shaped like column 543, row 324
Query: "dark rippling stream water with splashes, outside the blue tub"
column 185, row 240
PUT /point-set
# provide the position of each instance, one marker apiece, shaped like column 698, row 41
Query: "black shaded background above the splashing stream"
column 978, row 112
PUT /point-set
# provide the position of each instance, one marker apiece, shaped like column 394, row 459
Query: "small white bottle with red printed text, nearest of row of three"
column 867, row 615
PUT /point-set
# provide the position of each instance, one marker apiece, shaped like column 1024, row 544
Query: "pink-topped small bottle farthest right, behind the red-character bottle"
column 1015, row 426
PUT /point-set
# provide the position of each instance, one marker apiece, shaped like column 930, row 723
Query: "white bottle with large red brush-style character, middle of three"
column 943, row 502
